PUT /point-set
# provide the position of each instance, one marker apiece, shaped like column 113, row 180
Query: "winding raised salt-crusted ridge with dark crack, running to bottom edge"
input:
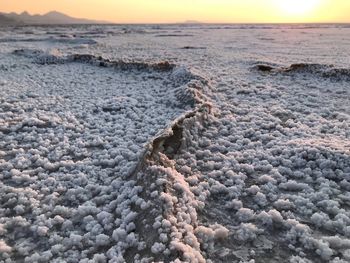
column 157, row 167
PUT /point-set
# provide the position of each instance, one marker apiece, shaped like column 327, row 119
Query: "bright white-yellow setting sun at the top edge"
column 297, row 7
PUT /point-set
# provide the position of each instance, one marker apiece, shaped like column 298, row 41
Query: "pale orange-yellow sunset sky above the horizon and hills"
column 173, row 11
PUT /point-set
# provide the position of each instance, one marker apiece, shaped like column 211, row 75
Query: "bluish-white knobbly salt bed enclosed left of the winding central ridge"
column 69, row 148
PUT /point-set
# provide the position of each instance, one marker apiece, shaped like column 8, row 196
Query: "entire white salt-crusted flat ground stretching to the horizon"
column 236, row 151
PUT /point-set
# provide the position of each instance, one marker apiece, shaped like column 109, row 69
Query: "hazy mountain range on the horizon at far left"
column 50, row 18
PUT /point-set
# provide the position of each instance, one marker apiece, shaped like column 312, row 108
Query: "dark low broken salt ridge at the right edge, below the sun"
column 325, row 71
